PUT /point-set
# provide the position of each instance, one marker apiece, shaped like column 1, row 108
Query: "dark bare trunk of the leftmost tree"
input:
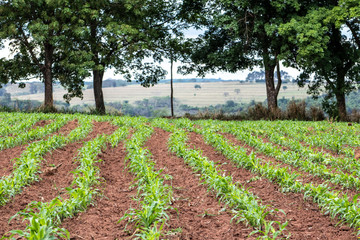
column 47, row 73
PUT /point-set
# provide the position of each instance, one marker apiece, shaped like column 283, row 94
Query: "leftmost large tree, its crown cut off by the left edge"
column 36, row 31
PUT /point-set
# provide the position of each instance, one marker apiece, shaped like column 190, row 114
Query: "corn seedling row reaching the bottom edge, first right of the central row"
column 244, row 205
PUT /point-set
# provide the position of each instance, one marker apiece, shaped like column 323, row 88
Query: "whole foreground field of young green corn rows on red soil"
column 118, row 177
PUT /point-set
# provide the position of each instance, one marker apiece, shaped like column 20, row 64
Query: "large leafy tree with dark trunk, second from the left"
column 124, row 35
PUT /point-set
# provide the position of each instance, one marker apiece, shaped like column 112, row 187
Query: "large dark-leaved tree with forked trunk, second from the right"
column 242, row 35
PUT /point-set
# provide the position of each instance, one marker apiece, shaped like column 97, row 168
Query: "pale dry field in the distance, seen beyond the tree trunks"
column 209, row 94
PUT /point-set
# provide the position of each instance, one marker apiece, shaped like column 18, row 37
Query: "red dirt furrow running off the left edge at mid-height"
column 7, row 155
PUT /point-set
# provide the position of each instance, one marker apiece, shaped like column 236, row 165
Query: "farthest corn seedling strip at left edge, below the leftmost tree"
column 25, row 122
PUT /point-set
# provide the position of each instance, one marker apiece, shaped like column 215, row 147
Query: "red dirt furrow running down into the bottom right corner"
column 305, row 219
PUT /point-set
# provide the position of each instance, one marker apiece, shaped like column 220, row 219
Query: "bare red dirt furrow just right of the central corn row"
column 198, row 214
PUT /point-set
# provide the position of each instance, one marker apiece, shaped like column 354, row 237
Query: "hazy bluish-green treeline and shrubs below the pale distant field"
column 160, row 106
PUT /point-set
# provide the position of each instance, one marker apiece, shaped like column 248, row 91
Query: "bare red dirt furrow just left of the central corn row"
column 100, row 220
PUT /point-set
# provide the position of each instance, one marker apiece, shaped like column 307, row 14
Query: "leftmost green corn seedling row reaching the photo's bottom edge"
column 45, row 218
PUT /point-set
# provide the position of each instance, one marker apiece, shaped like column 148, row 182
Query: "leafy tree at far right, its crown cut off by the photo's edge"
column 325, row 51
